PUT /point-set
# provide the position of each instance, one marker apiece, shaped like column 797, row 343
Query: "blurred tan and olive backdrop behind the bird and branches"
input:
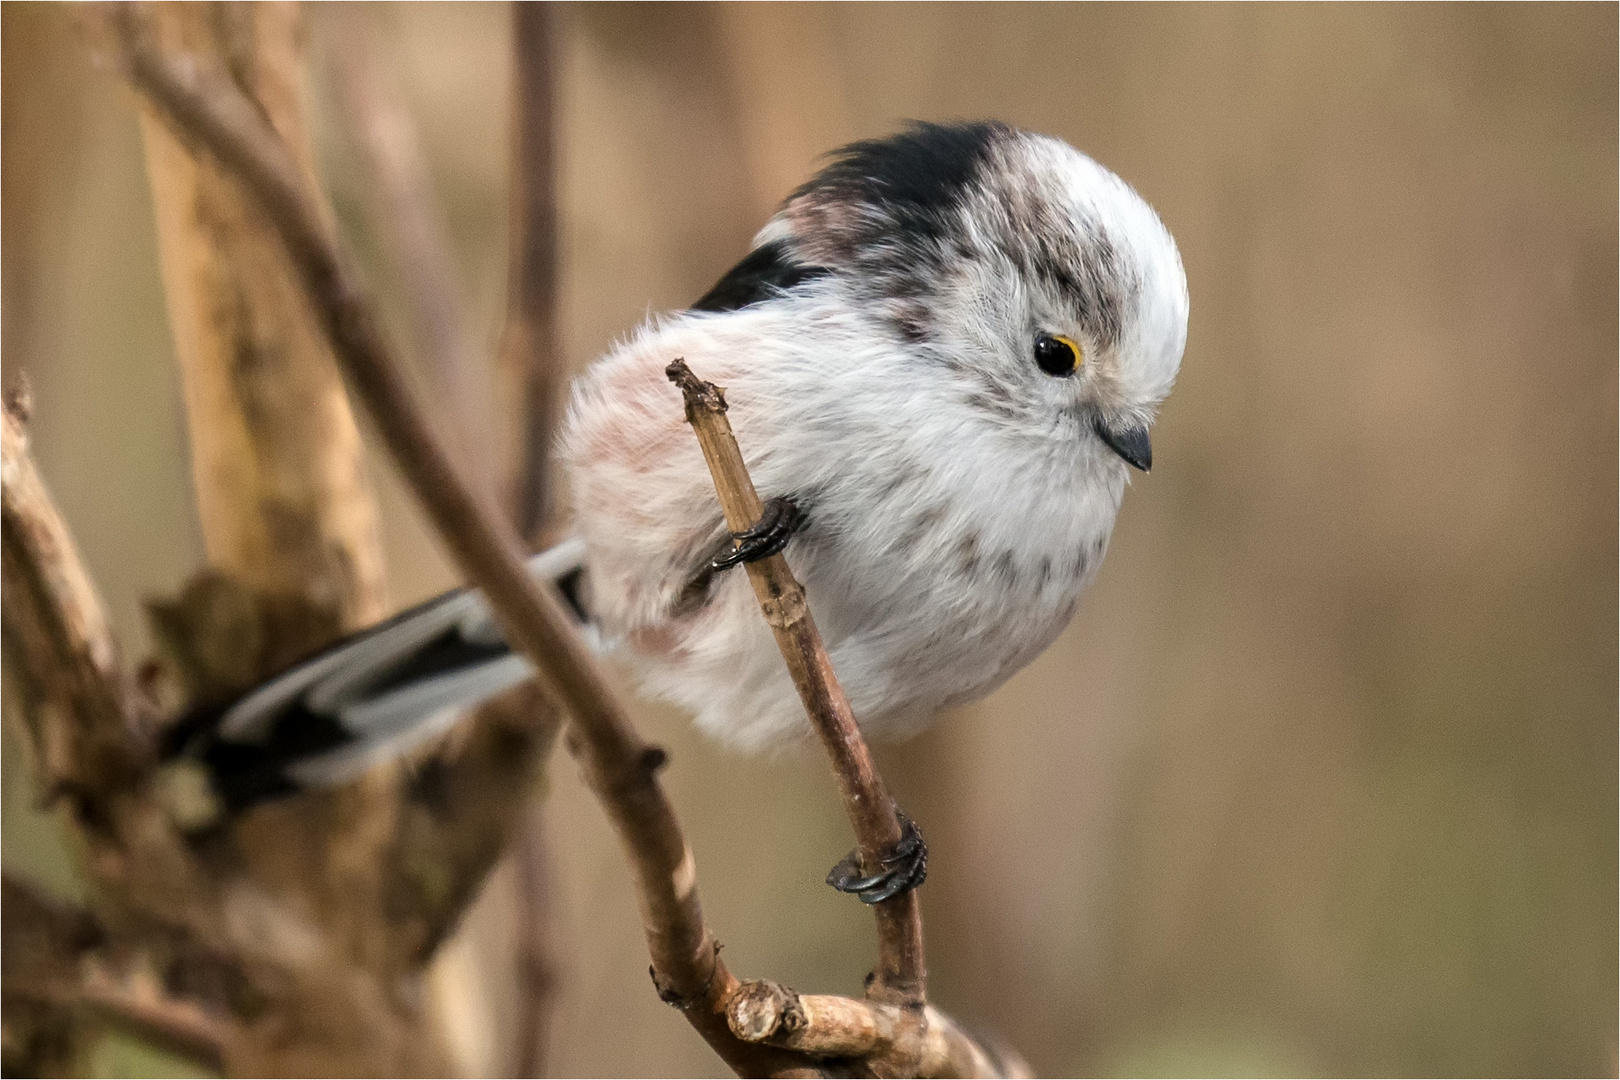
column 1324, row 776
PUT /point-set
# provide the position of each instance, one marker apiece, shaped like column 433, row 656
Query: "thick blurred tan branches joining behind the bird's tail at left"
column 297, row 935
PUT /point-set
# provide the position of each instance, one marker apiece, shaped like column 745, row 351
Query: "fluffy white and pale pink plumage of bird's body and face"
column 950, row 535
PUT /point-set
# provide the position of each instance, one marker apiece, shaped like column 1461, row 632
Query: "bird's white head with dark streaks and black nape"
column 1036, row 278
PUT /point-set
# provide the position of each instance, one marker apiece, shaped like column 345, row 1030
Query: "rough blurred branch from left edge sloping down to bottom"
column 189, row 914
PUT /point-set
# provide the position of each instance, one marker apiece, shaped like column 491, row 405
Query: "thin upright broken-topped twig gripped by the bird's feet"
column 902, row 977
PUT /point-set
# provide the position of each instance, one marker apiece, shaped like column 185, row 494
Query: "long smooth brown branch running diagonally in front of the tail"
column 618, row 765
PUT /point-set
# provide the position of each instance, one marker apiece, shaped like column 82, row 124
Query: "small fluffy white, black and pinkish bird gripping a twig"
column 942, row 355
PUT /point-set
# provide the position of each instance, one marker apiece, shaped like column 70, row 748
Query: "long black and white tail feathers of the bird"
column 367, row 699
